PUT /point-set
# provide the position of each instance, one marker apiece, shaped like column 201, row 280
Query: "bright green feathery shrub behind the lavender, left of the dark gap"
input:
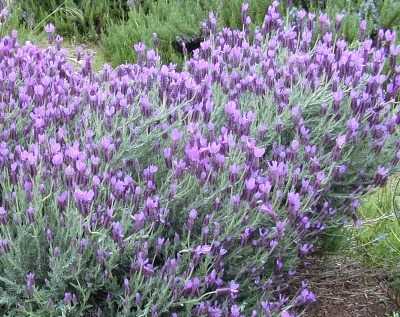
column 171, row 21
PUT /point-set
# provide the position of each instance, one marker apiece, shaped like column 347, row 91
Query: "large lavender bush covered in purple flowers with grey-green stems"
column 144, row 191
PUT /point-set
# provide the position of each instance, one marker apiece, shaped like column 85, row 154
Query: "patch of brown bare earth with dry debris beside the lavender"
column 345, row 288
